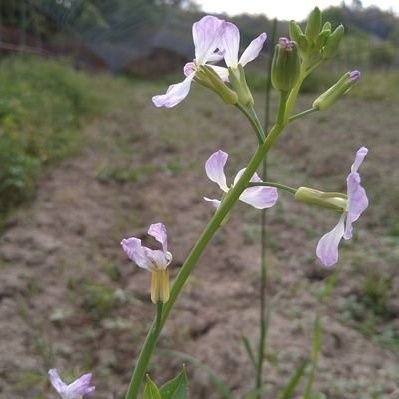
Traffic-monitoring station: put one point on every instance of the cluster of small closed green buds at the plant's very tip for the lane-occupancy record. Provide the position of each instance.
(318, 41)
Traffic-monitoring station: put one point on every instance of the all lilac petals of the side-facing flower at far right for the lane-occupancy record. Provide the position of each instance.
(327, 247)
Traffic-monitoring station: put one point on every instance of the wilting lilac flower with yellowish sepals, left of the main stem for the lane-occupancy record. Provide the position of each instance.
(154, 260)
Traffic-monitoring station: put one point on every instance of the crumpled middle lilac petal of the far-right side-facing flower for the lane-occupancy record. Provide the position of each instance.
(357, 202)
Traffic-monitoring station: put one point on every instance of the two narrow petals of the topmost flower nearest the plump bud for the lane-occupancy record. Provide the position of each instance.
(230, 45)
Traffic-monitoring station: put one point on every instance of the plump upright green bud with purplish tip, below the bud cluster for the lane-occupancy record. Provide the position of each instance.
(286, 65)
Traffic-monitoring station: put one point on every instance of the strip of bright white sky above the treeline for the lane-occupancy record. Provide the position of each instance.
(283, 9)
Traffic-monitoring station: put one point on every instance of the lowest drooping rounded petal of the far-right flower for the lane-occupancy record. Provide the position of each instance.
(327, 247)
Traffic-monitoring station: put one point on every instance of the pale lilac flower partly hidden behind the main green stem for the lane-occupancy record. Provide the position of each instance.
(259, 197)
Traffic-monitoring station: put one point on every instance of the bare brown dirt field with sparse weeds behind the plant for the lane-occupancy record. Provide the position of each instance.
(70, 299)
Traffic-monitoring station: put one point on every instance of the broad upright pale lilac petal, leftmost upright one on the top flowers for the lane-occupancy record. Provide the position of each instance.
(206, 36)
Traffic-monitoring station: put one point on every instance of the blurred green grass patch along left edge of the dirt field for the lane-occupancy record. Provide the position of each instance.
(42, 106)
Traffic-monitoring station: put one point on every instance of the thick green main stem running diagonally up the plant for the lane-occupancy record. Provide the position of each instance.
(191, 261)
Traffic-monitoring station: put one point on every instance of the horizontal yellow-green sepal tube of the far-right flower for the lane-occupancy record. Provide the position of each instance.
(335, 201)
